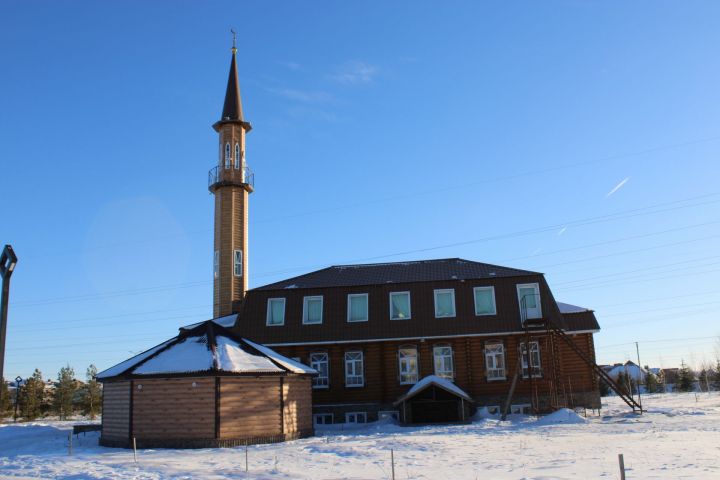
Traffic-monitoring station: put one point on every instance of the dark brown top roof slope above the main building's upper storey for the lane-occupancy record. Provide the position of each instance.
(397, 272)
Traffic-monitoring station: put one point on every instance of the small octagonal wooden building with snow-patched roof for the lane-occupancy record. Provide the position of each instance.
(206, 387)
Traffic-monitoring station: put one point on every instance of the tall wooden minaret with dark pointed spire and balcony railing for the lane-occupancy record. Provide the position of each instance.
(231, 181)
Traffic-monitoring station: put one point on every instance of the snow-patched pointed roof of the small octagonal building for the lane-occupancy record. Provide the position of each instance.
(207, 347)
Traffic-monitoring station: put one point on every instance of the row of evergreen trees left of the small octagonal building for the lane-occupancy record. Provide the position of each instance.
(64, 398)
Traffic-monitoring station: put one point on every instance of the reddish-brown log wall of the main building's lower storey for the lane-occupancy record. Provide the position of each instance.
(382, 384)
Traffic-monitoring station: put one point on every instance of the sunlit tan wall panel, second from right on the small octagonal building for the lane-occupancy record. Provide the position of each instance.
(250, 407)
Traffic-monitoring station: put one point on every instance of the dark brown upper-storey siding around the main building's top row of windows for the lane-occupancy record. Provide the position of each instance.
(423, 323)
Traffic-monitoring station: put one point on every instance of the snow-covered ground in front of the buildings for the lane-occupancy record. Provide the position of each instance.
(678, 437)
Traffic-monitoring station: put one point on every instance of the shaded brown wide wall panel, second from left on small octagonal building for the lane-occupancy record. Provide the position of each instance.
(173, 408)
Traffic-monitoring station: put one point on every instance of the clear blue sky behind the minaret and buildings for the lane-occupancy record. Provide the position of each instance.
(575, 138)
